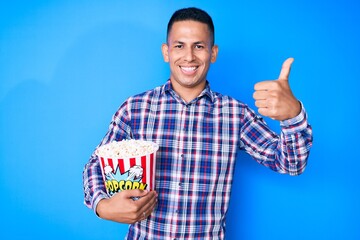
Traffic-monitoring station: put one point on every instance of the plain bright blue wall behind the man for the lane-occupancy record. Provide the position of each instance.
(65, 67)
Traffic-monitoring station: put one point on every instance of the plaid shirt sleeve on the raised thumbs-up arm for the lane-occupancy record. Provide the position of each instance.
(286, 152)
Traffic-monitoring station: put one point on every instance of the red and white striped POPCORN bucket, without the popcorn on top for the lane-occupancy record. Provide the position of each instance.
(136, 172)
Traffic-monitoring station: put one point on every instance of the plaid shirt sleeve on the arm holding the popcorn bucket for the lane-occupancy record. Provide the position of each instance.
(93, 183)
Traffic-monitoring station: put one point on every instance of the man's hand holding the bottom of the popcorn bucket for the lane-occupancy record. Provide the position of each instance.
(122, 208)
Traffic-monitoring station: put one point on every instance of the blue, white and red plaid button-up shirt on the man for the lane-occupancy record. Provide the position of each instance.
(198, 143)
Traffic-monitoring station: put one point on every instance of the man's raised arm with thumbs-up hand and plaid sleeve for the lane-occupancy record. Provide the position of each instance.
(288, 152)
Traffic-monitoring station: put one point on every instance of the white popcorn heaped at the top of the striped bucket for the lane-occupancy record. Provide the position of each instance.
(126, 148)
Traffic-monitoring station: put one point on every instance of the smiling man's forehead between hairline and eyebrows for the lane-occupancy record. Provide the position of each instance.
(189, 30)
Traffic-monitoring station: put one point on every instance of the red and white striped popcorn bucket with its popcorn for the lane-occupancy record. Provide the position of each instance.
(128, 164)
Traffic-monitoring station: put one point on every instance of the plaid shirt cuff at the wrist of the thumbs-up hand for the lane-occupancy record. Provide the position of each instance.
(296, 124)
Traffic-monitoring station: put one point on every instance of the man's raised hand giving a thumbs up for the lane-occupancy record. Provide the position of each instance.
(275, 99)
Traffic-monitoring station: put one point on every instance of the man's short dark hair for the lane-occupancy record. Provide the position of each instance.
(194, 14)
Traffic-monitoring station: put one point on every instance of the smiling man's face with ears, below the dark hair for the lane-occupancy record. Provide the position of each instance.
(189, 53)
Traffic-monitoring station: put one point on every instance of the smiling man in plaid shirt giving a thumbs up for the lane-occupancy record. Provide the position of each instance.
(199, 133)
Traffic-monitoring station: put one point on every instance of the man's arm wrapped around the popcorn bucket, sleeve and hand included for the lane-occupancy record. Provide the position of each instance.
(121, 207)
